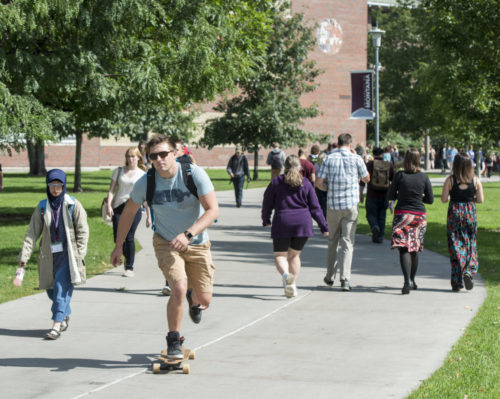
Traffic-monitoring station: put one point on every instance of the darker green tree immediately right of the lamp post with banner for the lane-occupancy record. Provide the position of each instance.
(404, 56)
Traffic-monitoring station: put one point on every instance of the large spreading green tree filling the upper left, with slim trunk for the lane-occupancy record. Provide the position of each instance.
(119, 67)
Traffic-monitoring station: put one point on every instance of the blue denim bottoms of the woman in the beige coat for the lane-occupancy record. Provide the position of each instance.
(61, 293)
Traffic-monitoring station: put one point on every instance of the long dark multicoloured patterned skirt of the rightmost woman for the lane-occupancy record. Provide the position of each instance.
(461, 229)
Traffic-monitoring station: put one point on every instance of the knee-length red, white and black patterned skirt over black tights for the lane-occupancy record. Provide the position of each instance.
(408, 231)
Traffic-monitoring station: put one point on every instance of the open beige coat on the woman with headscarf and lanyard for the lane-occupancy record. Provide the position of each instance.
(77, 234)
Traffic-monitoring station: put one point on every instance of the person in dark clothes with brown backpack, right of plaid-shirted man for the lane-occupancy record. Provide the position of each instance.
(381, 174)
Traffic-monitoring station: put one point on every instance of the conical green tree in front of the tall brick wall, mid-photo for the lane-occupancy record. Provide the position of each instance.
(268, 107)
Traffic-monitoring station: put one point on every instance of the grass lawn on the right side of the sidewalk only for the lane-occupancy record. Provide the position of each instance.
(472, 368)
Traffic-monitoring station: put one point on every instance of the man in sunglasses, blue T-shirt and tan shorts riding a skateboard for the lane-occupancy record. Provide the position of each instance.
(180, 241)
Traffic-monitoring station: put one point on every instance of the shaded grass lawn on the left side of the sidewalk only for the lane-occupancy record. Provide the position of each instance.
(20, 197)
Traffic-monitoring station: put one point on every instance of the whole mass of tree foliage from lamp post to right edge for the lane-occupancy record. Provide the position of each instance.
(441, 69)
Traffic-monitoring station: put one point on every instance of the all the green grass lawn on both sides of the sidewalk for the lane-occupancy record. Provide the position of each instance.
(471, 369)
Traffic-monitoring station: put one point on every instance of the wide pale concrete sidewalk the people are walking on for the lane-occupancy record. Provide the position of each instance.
(252, 342)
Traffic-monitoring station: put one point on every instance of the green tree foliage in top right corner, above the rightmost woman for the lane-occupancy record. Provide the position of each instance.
(464, 68)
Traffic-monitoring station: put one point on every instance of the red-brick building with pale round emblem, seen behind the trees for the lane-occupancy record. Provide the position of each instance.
(341, 47)
